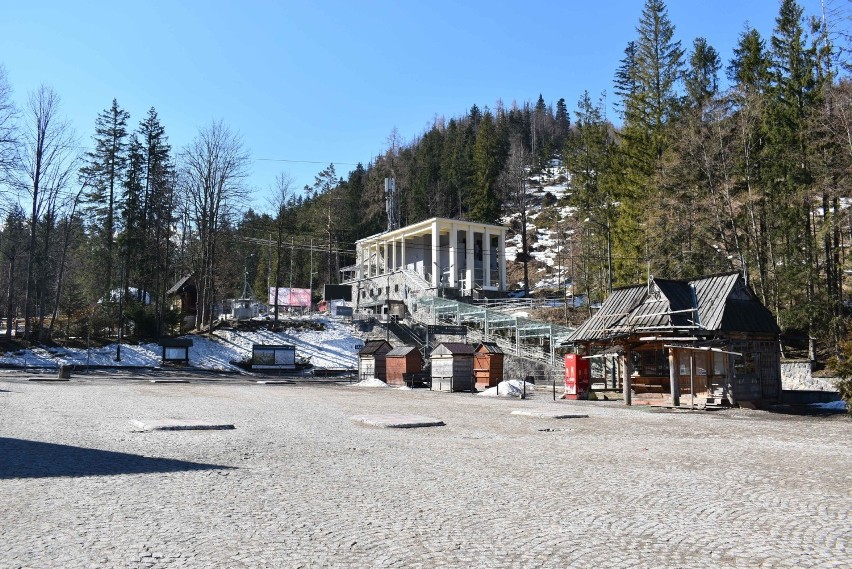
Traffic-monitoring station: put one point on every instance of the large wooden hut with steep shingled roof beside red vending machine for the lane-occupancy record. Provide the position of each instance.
(706, 341)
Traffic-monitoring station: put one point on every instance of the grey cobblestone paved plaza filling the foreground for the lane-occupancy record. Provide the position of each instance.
(299, 484)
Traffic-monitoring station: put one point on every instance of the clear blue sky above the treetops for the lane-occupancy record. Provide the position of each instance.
(312, 83)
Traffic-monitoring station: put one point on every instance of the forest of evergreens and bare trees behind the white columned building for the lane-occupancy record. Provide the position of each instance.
(713, 162)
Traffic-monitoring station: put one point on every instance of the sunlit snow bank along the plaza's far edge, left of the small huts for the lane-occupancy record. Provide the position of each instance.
(332, 348)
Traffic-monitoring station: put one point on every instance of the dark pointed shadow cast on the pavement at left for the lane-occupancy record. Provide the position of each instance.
(34, 459)
